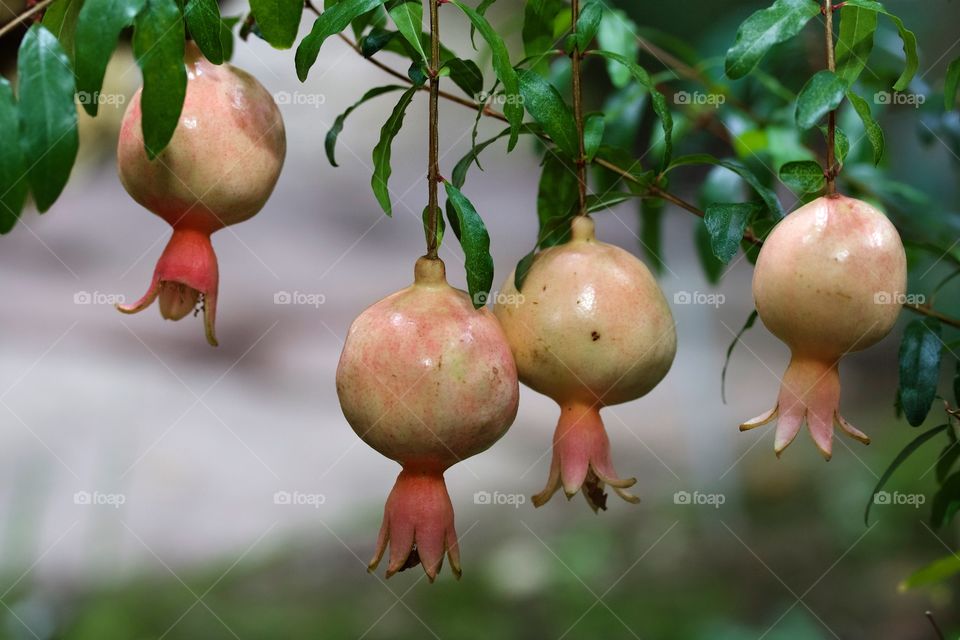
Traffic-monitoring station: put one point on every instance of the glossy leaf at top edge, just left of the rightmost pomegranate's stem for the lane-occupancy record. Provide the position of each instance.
(765, 28)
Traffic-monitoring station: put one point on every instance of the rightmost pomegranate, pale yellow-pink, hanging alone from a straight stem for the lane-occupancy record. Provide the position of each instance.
(827, 282)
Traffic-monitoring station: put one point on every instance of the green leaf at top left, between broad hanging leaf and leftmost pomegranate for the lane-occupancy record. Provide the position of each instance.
(98, 29)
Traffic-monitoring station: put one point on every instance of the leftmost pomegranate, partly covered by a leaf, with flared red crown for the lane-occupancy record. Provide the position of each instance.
(219, 169)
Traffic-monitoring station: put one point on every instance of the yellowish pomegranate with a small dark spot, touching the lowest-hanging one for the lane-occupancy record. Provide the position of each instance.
(591, 328)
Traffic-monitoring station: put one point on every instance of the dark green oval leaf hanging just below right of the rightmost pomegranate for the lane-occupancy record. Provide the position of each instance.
(920, 353)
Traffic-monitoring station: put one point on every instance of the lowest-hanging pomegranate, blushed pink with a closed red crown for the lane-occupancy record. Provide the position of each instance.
(426, 380)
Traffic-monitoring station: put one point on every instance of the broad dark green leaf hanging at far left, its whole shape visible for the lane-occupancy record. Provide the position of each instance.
(48, 114)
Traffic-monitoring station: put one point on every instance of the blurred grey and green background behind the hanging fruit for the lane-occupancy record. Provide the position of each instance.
(153, 487)
